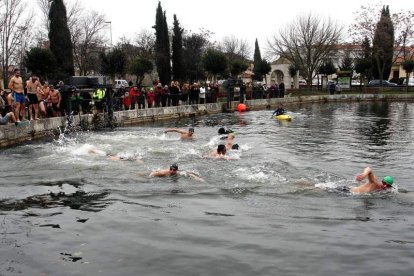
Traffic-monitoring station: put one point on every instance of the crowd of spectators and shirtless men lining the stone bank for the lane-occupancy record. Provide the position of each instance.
(33, 100)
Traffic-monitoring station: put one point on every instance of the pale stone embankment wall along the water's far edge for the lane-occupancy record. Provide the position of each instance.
(11, 135)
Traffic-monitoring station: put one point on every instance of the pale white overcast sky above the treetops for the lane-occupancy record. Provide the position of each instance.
(245, 19)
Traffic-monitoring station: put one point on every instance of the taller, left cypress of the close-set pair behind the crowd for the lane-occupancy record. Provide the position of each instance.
(162, 46)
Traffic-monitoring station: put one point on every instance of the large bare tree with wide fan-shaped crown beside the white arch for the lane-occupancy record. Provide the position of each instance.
(306, 42)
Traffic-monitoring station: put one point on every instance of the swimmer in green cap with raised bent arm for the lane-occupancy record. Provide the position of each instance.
(373, 184)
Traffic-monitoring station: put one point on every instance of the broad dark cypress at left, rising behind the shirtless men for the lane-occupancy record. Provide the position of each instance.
(60, 40)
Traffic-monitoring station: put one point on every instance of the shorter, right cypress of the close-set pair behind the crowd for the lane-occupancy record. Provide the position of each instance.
(177, 51)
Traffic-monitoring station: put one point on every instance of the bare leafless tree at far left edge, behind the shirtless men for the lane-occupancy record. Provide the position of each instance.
(15, 27)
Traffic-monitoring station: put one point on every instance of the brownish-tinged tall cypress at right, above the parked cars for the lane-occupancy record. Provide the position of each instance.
(383, 46)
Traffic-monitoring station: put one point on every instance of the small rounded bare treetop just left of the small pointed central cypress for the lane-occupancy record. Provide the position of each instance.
(235, 47)
